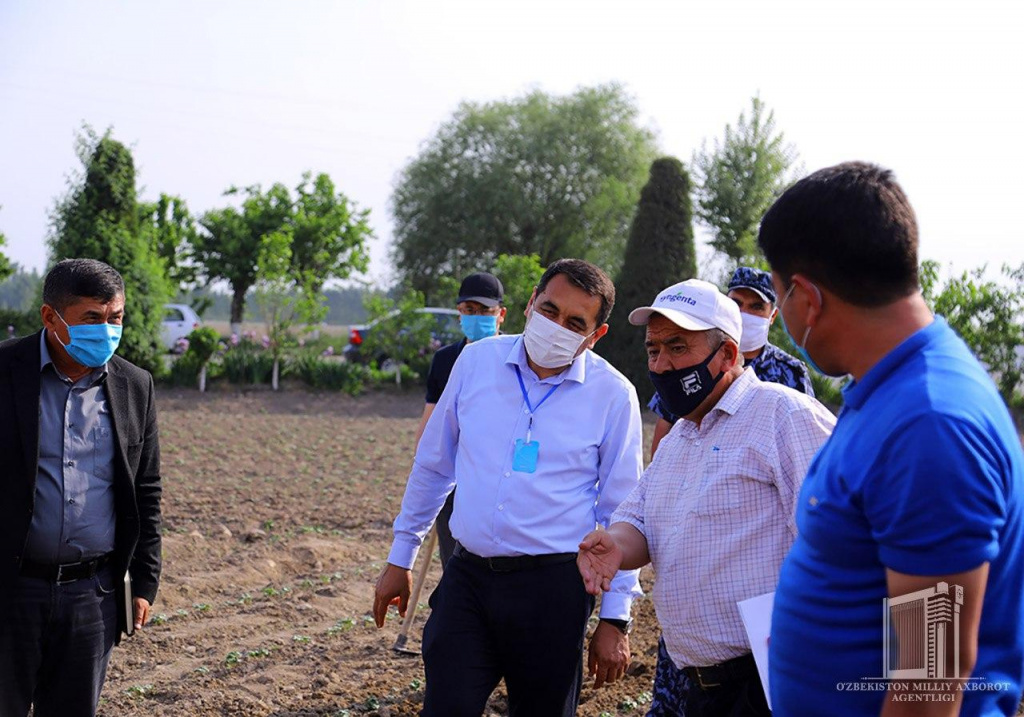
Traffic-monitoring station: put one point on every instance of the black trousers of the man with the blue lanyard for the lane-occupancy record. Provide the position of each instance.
(527, 626)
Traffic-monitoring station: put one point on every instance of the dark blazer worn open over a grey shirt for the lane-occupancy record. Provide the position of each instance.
(137, 463)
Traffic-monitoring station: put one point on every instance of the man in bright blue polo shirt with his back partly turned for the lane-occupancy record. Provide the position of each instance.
(911, 541)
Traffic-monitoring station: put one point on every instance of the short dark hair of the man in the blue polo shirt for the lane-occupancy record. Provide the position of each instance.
(850, 228)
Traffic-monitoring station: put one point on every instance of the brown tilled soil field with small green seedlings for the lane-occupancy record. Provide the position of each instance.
(278, 512)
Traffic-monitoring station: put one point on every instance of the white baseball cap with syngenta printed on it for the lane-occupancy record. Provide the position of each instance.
(695, 306)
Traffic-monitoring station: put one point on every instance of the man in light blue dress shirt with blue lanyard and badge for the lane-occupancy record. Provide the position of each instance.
(544, 440)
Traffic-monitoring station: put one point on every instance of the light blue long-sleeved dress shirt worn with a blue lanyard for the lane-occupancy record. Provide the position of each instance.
(589, 459)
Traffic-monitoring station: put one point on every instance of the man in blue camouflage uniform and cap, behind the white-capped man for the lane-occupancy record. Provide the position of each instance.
(754, 293)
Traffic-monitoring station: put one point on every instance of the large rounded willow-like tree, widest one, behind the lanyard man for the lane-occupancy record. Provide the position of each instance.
(541, 175)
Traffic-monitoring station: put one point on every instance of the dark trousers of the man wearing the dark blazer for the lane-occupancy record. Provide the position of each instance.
(56, 643)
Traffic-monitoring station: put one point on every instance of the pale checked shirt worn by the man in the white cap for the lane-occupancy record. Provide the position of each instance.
(718, 509)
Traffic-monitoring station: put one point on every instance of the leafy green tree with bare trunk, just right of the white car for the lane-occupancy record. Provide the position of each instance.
(234, 241)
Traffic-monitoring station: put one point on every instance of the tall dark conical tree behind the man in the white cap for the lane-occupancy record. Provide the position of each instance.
(659, 255)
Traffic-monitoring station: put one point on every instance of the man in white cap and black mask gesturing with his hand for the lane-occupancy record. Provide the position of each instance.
(715, 511)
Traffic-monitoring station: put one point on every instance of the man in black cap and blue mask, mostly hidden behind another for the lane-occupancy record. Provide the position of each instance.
(481, 315)
